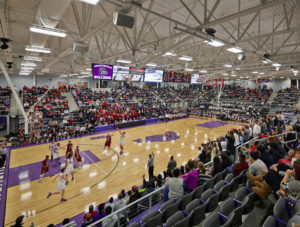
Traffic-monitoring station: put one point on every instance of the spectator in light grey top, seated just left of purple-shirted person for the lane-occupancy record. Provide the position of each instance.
(175, 185)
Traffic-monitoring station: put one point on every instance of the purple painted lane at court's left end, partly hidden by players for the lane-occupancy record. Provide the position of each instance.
(31, 172)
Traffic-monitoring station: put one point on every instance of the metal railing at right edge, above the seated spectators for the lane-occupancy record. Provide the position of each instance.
(243, 147)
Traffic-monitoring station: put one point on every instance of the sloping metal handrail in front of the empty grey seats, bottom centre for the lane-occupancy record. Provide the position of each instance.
(122, 210)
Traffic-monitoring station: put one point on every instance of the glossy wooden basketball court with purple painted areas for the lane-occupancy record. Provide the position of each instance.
(104, 173)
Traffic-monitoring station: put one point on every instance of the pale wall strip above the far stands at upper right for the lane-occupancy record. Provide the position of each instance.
(277, 85)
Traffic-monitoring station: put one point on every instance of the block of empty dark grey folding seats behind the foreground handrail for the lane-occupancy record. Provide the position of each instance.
(192, 208)
